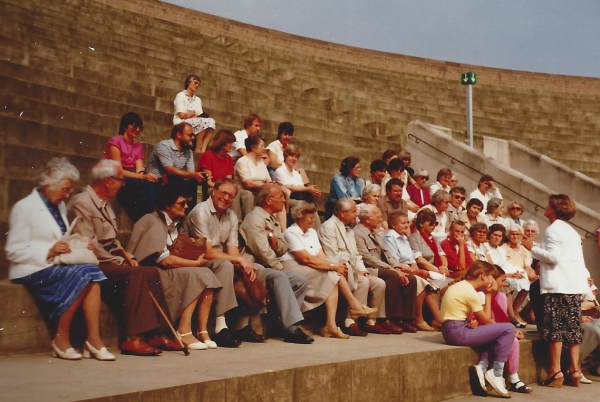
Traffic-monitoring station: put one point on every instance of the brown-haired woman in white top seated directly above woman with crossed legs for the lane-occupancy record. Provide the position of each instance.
(290, 178)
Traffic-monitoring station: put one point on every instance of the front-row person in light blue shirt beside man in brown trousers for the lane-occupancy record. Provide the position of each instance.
(401, 255)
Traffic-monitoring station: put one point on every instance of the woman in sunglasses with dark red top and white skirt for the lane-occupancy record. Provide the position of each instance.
(427, 252)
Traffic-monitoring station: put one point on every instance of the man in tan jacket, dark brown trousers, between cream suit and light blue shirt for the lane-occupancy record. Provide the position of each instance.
(400, 288)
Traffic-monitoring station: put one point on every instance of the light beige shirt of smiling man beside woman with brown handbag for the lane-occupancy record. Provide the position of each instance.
(220, 232)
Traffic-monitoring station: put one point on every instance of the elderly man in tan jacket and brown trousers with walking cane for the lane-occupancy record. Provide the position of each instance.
(131, 285)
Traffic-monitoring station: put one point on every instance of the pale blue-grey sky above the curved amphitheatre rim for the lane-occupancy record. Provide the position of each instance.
(559, 37)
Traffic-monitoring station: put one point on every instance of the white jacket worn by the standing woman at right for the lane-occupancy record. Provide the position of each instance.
(561, 258)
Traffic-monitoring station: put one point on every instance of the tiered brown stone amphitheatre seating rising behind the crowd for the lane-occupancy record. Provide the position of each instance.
(70, 69)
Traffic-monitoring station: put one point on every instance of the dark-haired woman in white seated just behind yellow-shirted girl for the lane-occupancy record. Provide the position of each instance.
(515, 275)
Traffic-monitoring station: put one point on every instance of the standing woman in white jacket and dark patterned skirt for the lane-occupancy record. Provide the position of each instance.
(563, 281)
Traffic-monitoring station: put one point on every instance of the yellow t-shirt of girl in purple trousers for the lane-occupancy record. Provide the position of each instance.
(459, 301)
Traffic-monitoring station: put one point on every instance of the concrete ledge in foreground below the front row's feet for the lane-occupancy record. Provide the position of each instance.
(410, 367)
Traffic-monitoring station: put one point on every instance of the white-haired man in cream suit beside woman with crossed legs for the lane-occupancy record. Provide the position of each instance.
(338, 242)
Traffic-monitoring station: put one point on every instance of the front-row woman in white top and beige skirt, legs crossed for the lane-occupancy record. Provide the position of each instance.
(326, 277)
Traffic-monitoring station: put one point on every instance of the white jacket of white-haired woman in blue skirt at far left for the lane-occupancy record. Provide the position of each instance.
(32, 233)
